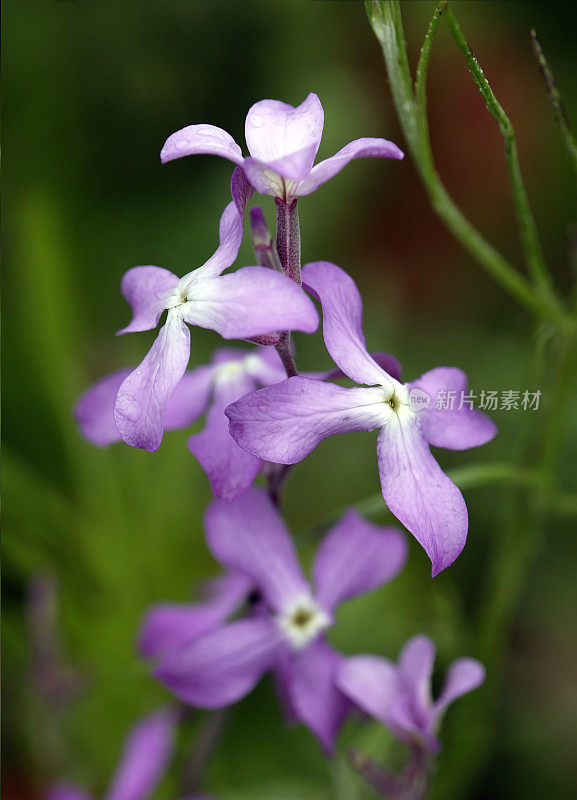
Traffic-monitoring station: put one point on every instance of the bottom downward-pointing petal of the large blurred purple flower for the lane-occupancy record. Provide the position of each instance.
(313, 692)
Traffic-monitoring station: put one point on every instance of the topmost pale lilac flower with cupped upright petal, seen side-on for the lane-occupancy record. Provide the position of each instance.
(283, 142)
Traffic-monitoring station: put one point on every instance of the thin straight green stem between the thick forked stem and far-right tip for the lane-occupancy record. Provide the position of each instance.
(525, 220)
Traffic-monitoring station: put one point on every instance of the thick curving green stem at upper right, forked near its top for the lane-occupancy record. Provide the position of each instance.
(386, 21)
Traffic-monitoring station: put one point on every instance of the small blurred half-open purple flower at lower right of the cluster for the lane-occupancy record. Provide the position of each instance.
(399, 696)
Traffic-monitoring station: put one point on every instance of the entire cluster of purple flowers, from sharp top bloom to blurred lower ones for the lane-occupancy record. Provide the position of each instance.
(262, 614)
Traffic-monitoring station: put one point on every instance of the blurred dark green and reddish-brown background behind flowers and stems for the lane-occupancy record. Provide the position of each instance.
(93, 537)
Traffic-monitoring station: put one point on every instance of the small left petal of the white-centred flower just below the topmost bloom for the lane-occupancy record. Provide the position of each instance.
(146, 289)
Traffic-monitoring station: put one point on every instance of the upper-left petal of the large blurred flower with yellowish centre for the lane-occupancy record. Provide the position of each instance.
(248, 535)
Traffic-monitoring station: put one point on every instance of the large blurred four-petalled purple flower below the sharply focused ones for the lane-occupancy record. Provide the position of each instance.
(287, 632)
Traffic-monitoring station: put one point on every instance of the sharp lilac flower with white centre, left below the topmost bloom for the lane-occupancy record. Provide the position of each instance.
(249, 302)
